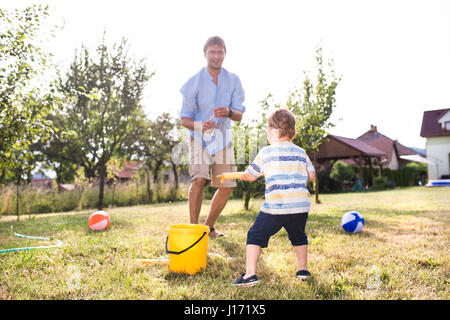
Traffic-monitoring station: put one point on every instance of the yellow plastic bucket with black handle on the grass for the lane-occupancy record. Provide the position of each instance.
(187, 246)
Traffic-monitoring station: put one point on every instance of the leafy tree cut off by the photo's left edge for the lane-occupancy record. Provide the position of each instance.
(24, 103)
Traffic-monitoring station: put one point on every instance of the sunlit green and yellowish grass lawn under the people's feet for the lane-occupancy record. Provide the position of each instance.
(402, 253)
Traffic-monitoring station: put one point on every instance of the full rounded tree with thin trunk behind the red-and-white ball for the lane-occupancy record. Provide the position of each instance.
(104, 92)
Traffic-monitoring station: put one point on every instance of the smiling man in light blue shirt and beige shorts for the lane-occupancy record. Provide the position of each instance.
(211, 99)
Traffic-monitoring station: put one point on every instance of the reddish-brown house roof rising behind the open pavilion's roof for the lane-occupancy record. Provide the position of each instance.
(383, 143)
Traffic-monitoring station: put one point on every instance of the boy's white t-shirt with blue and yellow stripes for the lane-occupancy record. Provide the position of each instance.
(285, 167)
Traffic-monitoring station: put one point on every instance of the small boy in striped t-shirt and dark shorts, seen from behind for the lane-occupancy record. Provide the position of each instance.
(287, 170)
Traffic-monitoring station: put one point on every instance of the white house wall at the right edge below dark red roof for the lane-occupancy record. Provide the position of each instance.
(438, 151)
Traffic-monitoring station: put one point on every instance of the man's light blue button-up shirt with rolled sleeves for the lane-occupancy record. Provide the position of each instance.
(201, 96)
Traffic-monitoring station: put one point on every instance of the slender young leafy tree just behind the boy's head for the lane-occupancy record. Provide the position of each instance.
(313, 106)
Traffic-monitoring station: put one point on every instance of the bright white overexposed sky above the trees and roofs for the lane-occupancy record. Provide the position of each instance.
(393, 56)
